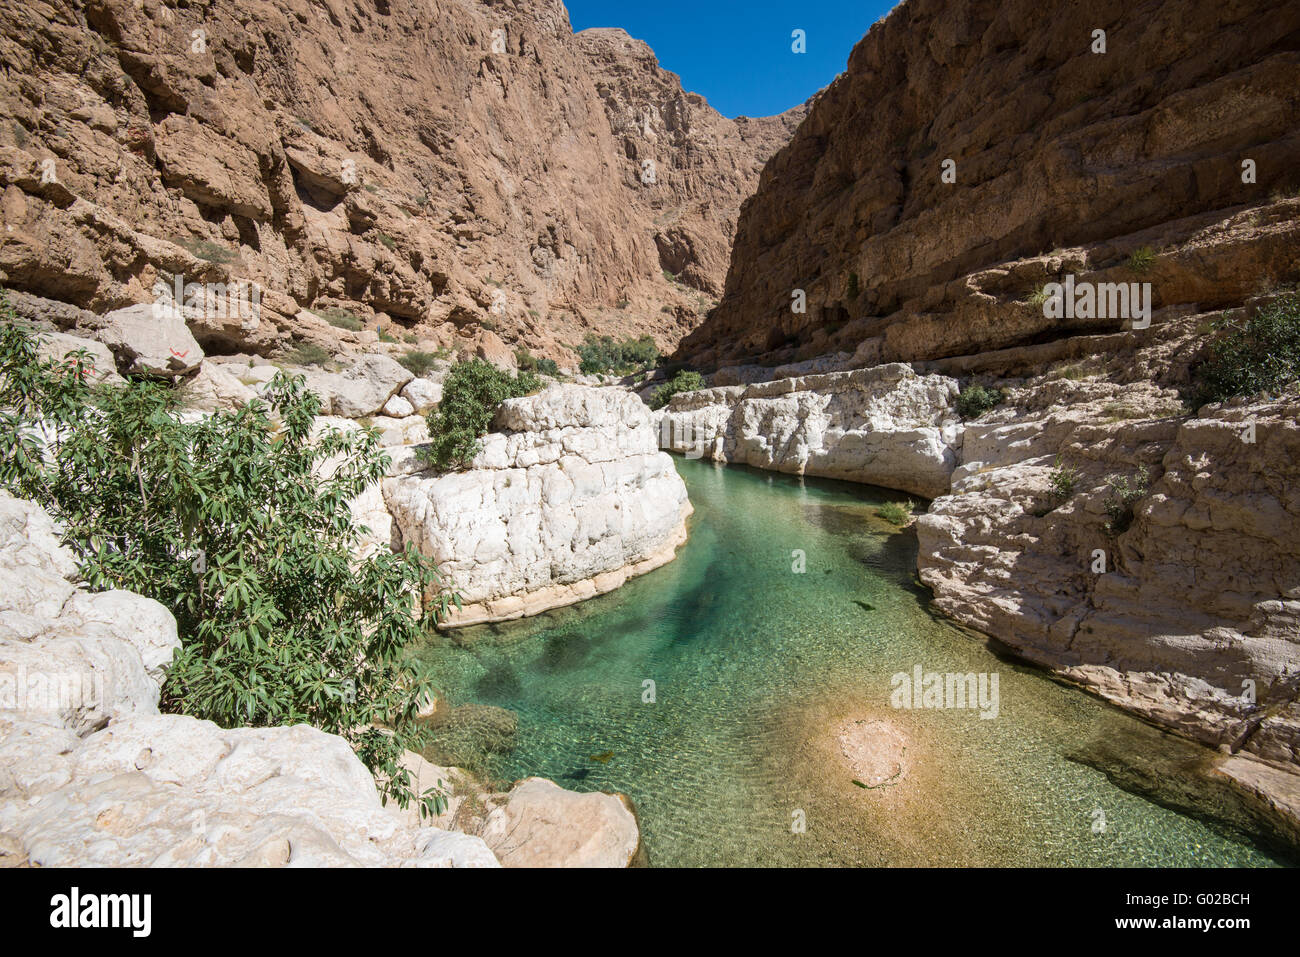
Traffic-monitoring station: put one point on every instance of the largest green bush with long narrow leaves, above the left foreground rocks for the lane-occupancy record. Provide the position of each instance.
(241, 530)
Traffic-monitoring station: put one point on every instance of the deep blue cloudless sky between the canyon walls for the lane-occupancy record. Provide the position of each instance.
(738, 55)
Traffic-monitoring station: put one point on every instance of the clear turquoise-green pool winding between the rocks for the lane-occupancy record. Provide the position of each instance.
(755, 669)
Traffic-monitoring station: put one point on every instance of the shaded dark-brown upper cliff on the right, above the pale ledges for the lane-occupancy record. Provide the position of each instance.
(1052, 145)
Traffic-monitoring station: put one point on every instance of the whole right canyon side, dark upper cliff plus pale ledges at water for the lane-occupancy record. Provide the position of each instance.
(1098, 522)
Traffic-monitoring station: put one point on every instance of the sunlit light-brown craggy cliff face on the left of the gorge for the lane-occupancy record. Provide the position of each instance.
(466, 168)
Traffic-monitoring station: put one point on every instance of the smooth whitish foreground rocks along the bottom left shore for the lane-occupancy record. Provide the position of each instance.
(92, 774)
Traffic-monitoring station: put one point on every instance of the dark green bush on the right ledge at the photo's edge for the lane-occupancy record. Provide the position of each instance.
(1254, 354)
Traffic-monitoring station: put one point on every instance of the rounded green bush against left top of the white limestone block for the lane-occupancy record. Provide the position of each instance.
(470, 399)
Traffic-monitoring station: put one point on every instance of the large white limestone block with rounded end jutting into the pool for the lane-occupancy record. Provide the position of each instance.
(567, 504)
